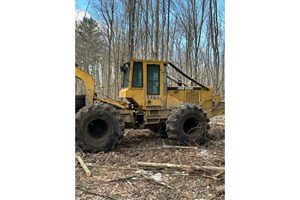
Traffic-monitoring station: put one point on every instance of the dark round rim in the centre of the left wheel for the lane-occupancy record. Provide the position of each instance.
(97, 128)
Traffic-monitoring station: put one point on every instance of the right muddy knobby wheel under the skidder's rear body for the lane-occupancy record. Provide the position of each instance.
(188, 124)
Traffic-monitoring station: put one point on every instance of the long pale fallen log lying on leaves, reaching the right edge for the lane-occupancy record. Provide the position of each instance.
(176, 166)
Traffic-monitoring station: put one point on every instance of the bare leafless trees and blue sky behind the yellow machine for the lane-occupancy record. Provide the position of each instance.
(190, 34)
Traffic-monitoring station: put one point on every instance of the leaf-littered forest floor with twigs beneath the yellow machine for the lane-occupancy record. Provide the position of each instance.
(116, 174)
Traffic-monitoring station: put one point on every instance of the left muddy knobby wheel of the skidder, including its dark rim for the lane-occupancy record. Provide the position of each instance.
(99, 127)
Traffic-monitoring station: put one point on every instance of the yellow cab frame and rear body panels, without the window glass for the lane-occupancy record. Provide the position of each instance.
(172, 98)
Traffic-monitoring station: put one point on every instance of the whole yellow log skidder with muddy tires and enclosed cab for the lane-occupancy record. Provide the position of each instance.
(150, 98)
